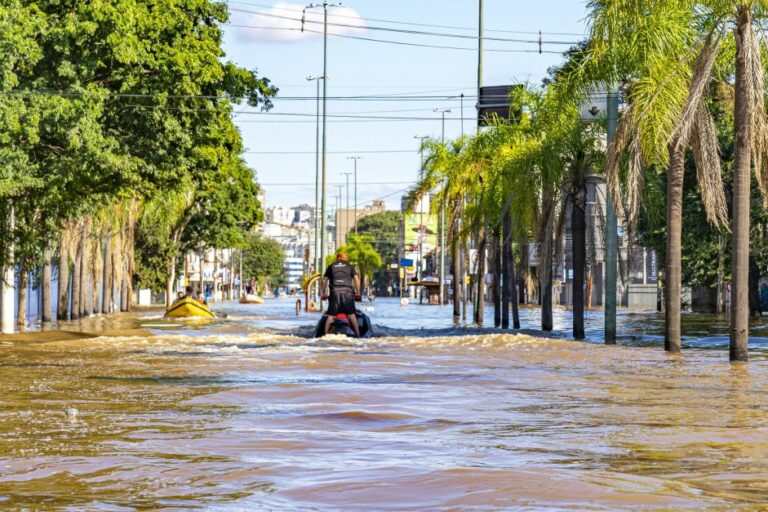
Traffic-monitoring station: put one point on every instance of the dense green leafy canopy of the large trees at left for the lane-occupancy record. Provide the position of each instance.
(112, 99)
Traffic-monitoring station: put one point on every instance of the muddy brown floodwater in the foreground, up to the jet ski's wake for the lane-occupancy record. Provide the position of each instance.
(218, 419)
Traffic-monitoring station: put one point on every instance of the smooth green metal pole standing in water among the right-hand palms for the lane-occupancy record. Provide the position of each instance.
(611, 238)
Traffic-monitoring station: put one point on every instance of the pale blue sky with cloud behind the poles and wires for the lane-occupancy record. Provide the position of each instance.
(281, 147)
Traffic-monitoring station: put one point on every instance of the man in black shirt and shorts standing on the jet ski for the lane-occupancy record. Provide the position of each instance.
(345, 290)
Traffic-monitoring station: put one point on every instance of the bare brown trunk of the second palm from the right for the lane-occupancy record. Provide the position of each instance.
(673, 263)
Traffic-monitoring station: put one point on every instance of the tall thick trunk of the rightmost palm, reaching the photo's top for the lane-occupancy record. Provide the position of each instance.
(741, 194)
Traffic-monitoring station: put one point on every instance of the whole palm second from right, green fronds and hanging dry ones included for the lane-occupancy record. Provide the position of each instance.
(664, 51)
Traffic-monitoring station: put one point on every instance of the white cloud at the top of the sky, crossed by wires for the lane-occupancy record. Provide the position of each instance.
(282, 23)
